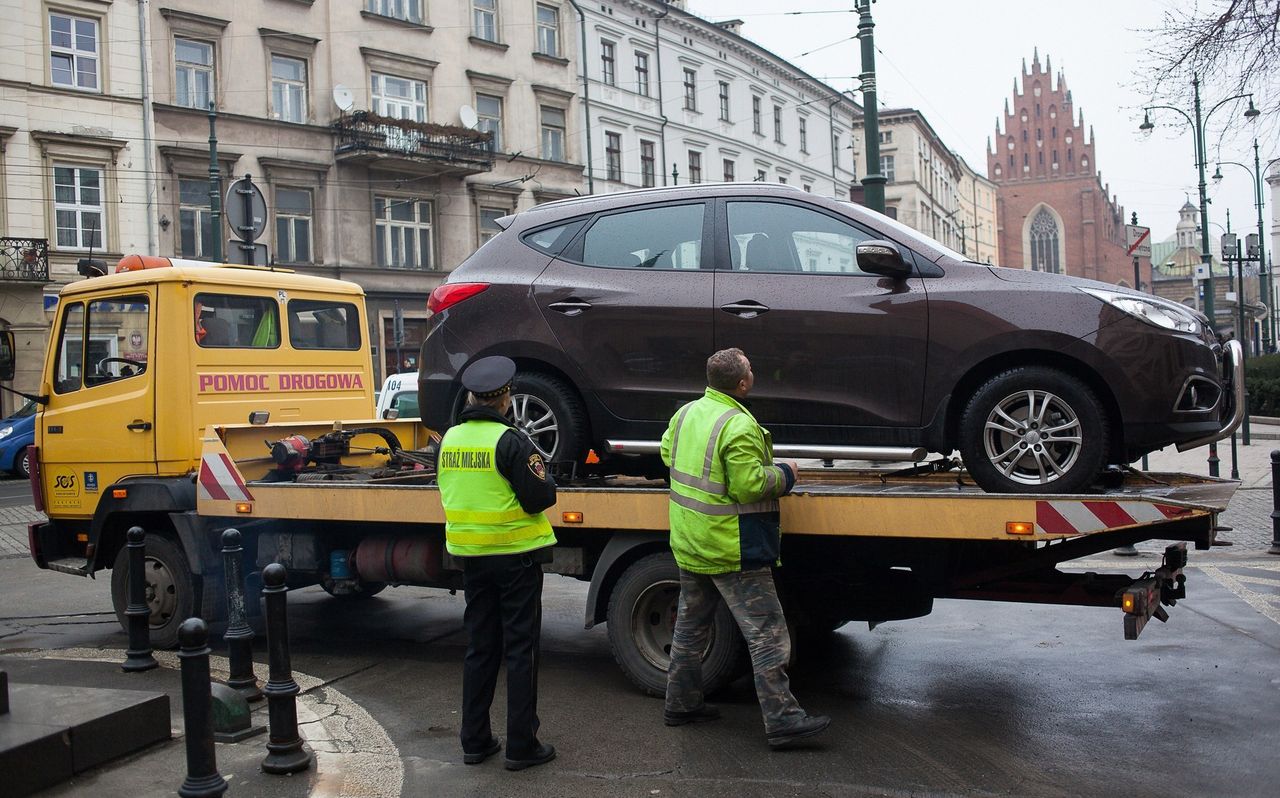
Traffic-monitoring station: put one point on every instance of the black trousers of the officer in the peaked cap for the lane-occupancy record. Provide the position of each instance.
(505, 622)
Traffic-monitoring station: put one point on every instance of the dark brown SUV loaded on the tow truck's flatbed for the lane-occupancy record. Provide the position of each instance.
(860, 330)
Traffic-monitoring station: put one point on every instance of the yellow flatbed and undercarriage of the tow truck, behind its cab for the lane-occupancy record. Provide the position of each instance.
(860, 545)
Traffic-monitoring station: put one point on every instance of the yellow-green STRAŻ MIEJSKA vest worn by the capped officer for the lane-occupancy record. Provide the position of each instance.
(482, 513)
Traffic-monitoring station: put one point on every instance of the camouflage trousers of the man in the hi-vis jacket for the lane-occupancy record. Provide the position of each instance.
(755, 605)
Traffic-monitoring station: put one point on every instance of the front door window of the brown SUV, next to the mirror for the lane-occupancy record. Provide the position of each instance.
(783, 238)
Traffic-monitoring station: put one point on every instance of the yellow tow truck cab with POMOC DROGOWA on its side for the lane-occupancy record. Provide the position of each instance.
(141, 363)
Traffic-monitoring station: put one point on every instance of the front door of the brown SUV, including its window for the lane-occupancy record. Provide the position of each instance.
(830, 345)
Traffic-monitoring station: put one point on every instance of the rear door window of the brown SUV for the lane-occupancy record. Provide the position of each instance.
(668, 238)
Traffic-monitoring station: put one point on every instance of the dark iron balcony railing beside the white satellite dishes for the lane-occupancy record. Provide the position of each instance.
(367, 134)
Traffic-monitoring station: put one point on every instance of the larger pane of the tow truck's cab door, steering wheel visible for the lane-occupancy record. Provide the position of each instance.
(118, 340)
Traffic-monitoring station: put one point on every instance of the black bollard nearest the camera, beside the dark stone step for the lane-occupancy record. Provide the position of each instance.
(203, 778)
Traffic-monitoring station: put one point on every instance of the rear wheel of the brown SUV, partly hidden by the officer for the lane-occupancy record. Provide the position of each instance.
(551, 414)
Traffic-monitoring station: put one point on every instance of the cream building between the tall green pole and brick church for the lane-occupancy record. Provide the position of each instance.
(930, 188)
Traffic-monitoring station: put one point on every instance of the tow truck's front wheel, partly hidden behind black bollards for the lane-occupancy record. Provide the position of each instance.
(171, 589)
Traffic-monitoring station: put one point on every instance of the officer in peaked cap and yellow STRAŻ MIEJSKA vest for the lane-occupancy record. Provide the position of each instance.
(495, 487)
